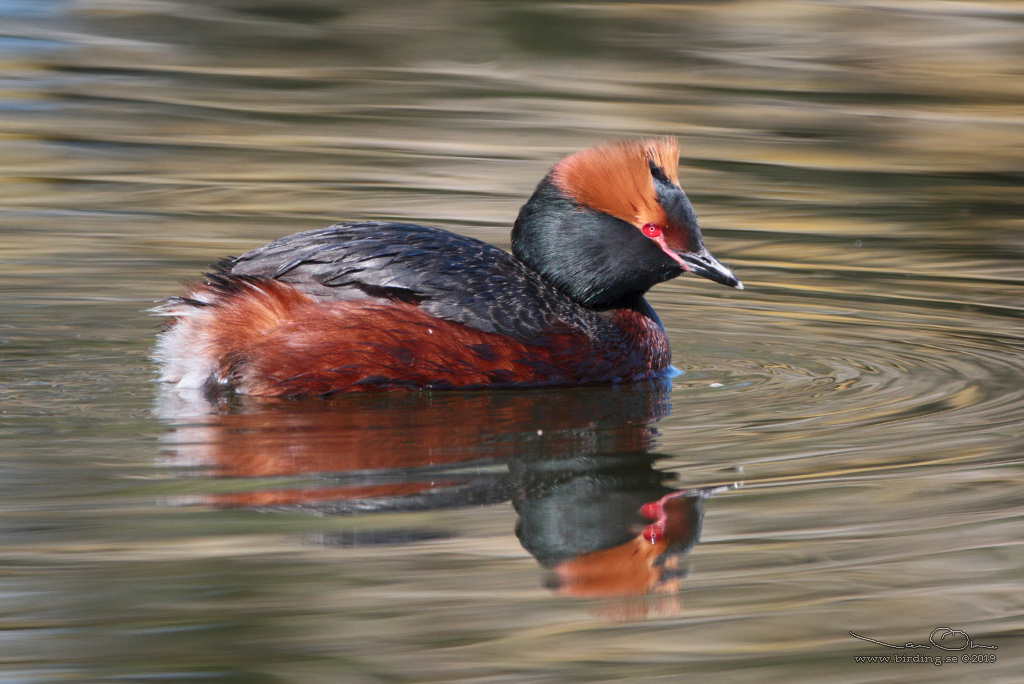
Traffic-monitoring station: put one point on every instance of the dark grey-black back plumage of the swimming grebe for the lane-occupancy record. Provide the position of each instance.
(449, 276)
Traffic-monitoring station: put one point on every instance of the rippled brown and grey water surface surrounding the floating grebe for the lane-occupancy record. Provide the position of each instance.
(860, 165)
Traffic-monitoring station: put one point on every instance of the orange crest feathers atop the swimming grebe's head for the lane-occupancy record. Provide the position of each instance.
(616, 179)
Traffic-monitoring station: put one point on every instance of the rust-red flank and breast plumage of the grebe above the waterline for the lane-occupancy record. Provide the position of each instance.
(271, 339)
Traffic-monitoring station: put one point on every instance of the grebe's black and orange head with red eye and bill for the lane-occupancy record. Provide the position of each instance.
(609, 224)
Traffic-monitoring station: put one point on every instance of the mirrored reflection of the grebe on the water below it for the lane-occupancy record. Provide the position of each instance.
(577, 464)
